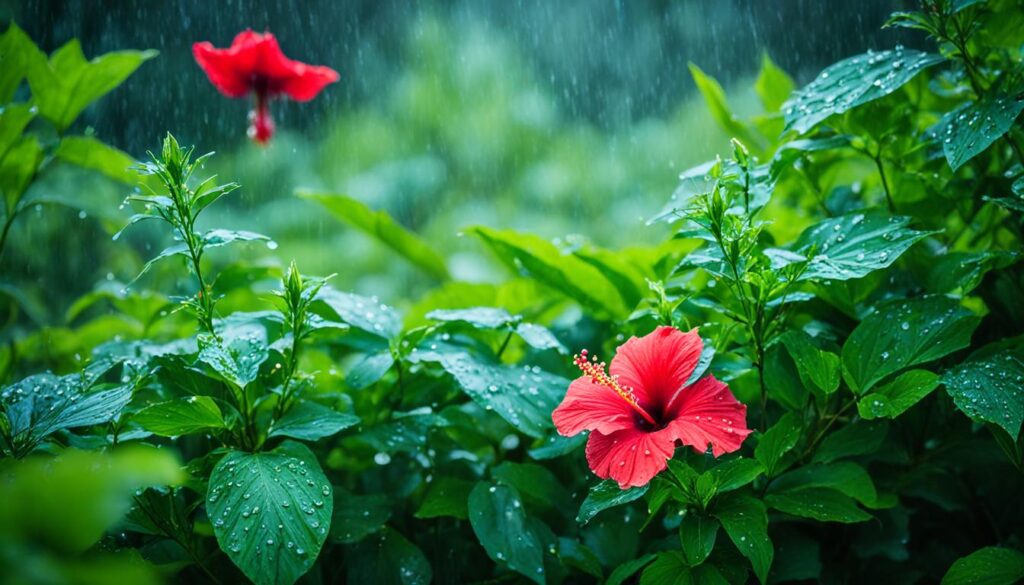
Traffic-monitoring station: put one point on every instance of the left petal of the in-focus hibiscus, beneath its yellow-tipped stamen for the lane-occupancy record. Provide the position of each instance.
(591, 407)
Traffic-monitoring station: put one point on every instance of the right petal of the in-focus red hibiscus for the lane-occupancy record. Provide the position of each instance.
(707, 413)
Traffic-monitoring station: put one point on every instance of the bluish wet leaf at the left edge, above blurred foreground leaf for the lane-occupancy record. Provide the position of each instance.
(45, 404)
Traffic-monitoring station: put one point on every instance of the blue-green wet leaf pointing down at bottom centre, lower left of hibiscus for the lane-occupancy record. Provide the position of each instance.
(500, 524)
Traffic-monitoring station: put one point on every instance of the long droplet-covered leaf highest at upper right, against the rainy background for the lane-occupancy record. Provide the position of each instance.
(852, 82)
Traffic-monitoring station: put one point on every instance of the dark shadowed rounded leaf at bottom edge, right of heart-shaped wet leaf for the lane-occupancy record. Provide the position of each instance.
(389, 559)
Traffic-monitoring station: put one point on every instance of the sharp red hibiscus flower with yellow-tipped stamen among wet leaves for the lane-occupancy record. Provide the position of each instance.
(641, 412)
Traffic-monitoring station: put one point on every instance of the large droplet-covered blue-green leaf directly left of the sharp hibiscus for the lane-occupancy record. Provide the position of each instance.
(525, 397)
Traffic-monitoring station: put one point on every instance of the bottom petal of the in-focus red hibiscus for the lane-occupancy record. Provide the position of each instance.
(631, 457)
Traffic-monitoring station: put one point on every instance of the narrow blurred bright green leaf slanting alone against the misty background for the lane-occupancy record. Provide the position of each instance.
(381, 227)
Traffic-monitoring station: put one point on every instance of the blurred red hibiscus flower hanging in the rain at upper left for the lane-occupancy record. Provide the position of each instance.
(255, 65)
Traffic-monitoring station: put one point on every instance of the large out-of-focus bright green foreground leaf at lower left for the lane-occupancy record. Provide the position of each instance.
(68, 503)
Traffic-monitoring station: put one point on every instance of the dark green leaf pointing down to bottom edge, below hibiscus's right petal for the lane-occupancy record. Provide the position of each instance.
(746, 522)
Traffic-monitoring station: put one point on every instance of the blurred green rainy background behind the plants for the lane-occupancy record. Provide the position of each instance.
(568, 119)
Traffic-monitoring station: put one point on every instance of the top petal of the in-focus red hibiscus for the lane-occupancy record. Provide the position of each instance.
(658, 364)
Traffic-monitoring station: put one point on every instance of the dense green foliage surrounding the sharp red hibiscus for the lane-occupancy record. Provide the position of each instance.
(852, 266)
